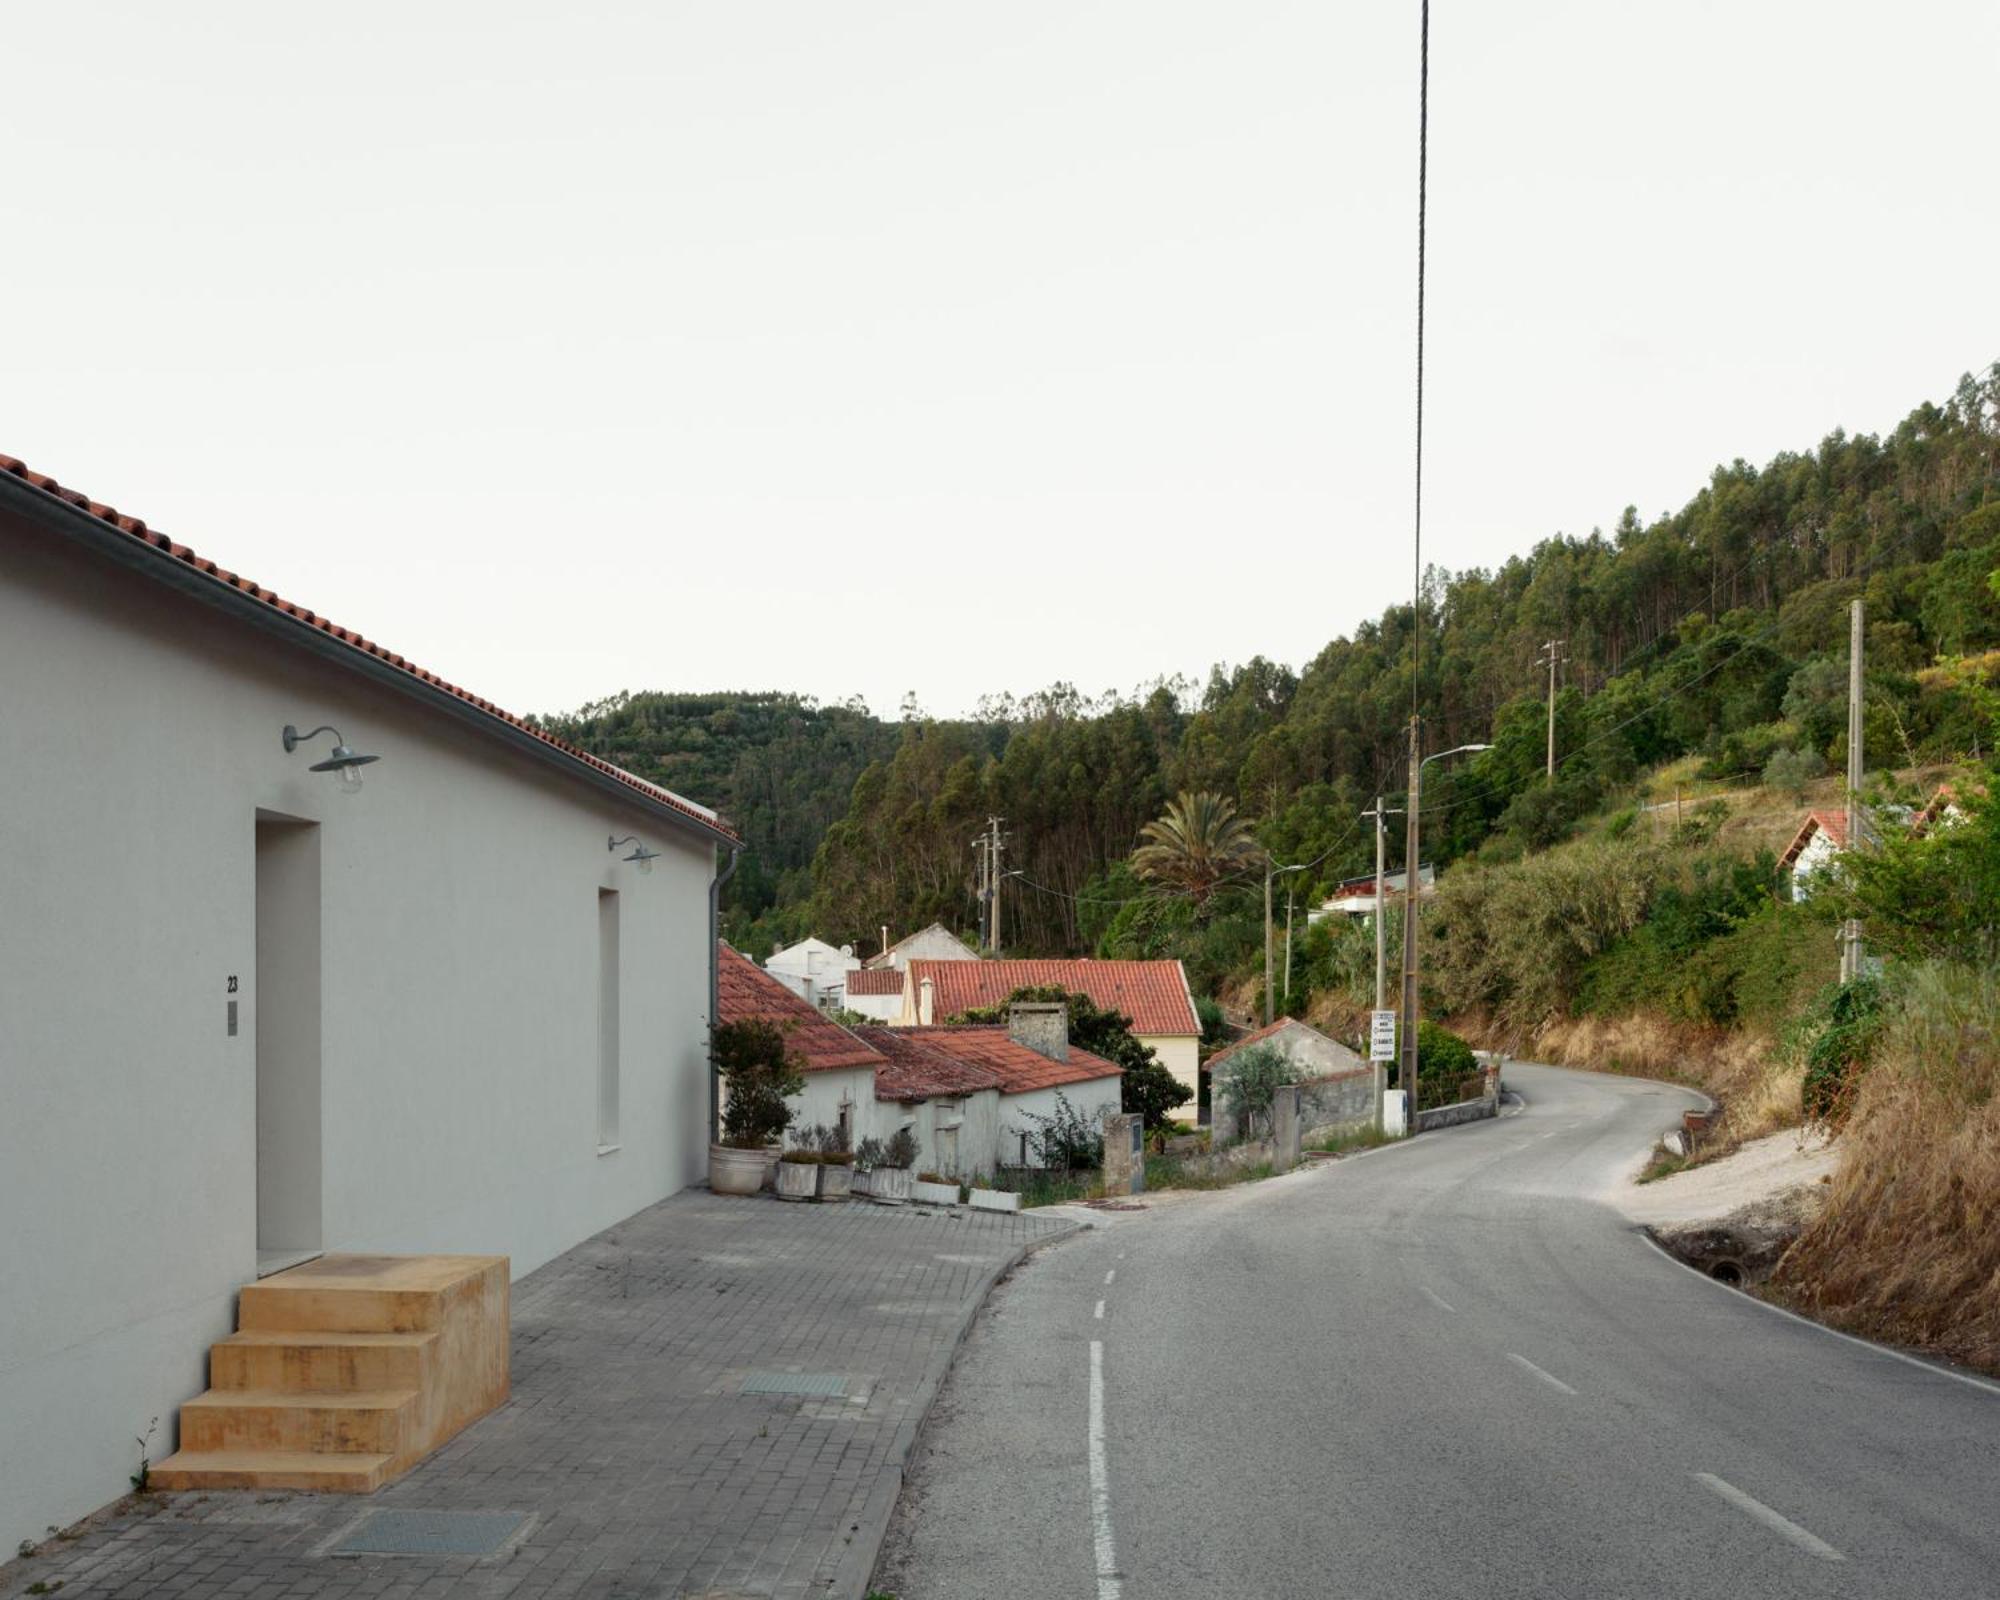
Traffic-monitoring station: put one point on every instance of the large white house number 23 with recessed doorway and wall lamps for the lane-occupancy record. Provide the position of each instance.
(249, 1015)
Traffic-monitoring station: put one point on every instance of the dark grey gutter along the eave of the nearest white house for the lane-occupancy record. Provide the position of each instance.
(103, 539)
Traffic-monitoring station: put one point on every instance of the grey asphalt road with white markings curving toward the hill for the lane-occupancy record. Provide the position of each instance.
(1443, 1369)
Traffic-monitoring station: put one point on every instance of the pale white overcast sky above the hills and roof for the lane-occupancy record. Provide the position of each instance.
(873, 347)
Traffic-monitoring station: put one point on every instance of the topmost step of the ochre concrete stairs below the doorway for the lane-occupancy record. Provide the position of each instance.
(367, 1295)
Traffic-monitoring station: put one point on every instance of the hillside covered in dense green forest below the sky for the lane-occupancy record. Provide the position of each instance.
(1715, 633)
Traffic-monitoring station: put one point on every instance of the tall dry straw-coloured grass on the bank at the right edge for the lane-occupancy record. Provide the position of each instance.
(1909, 1243)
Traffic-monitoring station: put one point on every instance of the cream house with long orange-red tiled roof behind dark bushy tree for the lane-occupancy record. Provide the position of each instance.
(1155, 995)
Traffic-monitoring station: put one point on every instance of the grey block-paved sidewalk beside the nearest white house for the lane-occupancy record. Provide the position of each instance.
(627, 1439)
